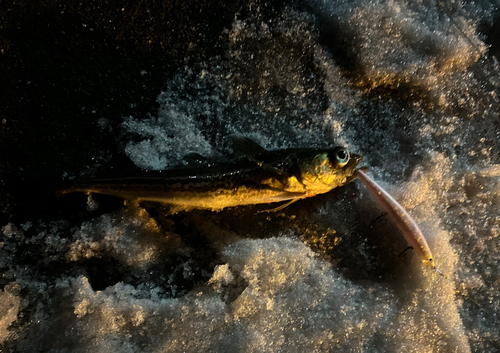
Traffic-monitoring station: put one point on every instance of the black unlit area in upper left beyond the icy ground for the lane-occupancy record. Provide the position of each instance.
(64, 65)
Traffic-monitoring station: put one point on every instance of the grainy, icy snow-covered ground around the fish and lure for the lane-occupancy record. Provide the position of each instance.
(409, 85)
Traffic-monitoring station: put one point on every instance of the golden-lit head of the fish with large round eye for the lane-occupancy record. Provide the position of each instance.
(328, 169)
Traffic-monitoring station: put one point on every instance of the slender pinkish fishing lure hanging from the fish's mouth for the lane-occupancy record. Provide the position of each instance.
(401, 218)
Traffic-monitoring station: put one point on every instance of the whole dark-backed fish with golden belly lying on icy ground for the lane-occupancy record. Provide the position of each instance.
(258, 176)
